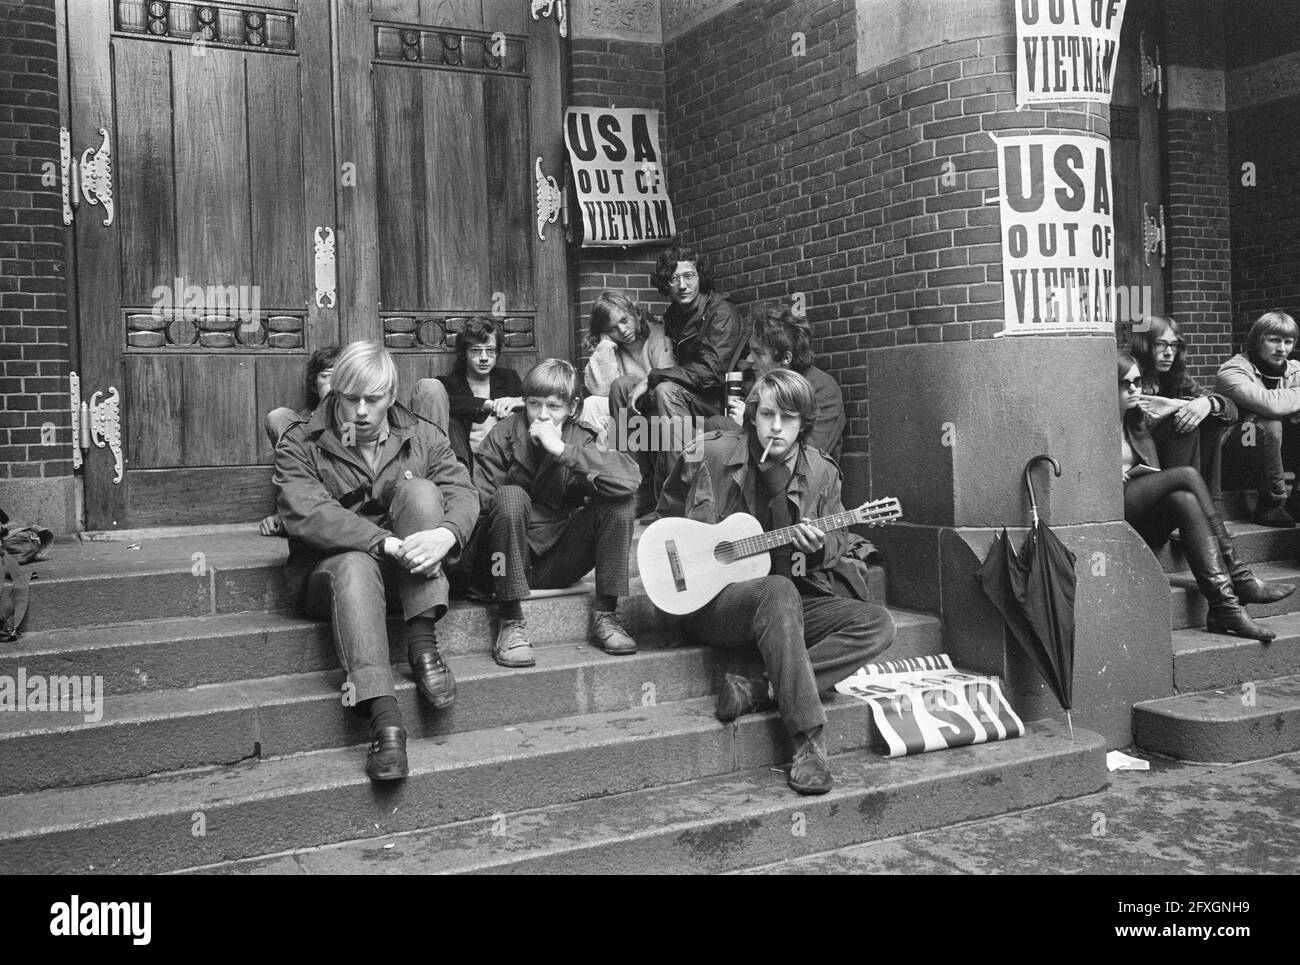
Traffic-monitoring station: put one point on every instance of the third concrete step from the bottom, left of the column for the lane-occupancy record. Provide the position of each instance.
(155, 732)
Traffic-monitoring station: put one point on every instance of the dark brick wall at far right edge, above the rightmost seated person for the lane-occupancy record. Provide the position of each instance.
(1266, 218)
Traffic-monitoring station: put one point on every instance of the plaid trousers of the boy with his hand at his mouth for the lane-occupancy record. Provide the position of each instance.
(599, 535)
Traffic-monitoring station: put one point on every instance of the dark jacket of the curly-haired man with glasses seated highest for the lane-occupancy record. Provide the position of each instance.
(708, 340)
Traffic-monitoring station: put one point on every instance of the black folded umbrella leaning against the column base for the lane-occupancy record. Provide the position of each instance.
(1034, 591)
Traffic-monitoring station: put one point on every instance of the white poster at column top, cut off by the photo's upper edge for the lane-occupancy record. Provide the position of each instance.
(1067, 50)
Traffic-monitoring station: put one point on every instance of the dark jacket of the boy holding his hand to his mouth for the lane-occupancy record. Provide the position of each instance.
(560, 486)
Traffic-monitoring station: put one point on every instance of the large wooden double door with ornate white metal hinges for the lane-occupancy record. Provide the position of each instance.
(255, 181)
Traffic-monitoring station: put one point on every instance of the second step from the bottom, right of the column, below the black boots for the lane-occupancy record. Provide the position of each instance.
(1206, 661)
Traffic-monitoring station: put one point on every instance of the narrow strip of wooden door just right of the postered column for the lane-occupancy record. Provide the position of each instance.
(1136, 168)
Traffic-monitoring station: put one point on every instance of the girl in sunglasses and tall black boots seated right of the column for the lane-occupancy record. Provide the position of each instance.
(1159, 501)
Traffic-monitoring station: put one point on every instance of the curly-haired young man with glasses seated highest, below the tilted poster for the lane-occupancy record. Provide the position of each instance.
(708, 339)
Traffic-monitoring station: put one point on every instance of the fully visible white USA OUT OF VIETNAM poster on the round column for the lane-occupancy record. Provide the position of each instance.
(1059, 256)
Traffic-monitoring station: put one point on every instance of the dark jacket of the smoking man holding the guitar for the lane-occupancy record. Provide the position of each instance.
(713, 481)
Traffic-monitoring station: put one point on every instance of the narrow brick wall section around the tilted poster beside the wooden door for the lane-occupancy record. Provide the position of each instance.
(617, 73)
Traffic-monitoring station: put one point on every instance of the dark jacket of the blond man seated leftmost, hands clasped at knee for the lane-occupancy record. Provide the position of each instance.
(333, 503)
